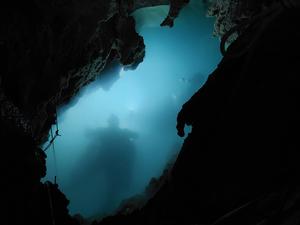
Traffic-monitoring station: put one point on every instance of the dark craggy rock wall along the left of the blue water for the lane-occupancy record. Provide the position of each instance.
(49, 50)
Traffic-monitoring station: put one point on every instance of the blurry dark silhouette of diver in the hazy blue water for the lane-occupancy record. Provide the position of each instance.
(109, 163)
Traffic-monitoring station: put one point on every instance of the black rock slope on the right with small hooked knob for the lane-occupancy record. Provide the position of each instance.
(239, 165)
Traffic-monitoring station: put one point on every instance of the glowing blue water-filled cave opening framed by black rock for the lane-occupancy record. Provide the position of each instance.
(119, 131)
